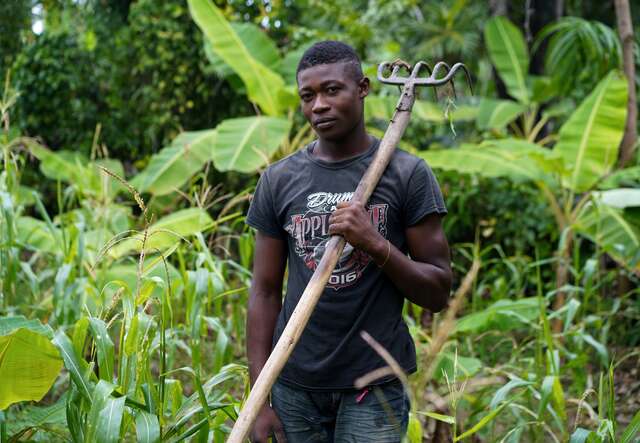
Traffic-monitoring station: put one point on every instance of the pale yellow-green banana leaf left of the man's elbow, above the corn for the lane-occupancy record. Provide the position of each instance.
(166, 232)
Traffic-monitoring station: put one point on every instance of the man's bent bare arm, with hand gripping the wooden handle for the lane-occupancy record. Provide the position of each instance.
(425, 278)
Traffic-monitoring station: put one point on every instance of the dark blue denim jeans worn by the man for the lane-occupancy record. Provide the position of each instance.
(379, 415)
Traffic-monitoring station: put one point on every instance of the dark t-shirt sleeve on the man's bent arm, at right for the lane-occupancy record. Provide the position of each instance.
(423, 195)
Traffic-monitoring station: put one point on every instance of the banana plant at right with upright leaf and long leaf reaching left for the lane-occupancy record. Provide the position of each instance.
(569, 175)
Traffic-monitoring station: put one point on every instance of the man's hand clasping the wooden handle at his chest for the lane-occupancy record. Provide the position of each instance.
(353, 222)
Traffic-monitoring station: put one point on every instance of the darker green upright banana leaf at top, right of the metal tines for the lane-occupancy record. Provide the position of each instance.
(508, 52)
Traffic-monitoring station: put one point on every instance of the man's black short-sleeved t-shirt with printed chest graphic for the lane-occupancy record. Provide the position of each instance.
(293, 201)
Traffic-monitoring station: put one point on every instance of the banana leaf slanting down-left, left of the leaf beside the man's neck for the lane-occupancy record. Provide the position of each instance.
(172, 166)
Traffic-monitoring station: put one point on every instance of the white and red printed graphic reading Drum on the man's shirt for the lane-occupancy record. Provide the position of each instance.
(311, 233)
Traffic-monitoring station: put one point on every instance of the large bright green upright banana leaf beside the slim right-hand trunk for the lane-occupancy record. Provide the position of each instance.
(589, 140)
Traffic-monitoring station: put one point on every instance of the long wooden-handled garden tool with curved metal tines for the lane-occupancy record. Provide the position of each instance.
(336, 243)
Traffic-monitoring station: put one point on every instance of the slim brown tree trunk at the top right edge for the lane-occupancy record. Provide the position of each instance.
(625, 30)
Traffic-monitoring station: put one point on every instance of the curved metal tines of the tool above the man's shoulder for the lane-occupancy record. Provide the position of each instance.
(435, 78)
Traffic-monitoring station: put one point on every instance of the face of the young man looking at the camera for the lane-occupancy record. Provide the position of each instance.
(331, 99)
